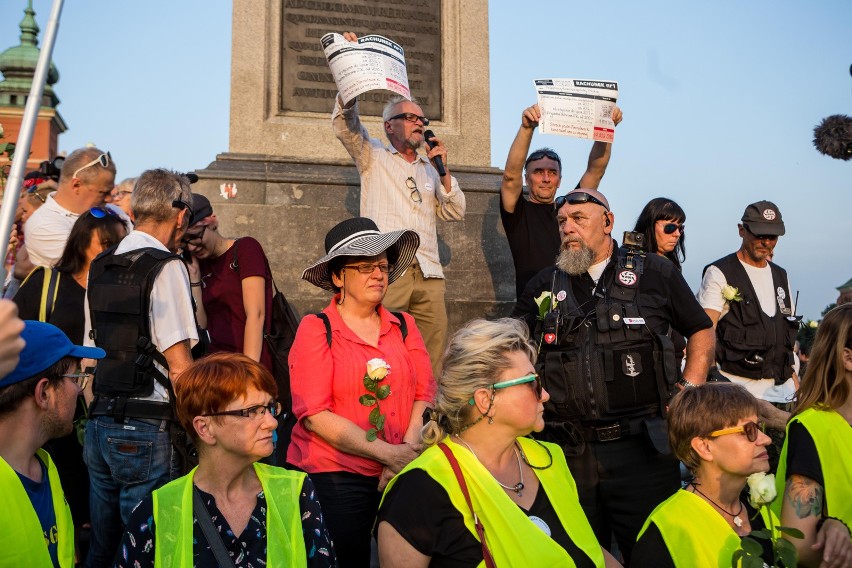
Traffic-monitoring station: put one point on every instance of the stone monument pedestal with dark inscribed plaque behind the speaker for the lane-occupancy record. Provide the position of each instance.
(286, 179)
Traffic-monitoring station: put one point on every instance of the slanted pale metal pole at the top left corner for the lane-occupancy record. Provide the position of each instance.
(25, 136)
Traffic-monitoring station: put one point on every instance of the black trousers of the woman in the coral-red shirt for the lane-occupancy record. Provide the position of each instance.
(349, 504)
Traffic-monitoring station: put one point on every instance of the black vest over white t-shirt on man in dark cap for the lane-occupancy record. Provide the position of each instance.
(749, 343)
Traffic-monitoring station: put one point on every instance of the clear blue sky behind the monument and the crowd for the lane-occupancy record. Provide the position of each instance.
(720, 100)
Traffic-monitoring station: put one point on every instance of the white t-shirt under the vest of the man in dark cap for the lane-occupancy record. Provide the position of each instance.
(710, 297)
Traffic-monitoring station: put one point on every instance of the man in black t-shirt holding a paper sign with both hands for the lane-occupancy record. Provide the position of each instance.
(530, 224)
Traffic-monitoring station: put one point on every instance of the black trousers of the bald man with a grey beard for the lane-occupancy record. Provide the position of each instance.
(620, 483)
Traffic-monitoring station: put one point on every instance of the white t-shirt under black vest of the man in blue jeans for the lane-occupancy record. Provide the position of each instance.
(171, 315)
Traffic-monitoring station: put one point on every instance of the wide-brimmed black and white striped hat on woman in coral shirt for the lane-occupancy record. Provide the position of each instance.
(360, 236)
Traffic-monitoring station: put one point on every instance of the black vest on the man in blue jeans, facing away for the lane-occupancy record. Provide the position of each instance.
(119, 303)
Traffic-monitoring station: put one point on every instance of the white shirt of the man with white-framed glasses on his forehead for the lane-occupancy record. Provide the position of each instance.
(46, 232)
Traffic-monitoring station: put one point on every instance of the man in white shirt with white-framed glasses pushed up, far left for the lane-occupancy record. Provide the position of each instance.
(87, 178)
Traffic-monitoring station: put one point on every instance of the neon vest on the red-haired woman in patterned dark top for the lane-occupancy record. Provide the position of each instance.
(285, 544)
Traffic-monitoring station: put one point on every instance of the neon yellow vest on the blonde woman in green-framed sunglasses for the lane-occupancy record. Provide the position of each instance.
(512, 538)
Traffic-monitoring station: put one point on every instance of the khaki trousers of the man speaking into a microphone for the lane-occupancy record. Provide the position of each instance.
(423, 298)
